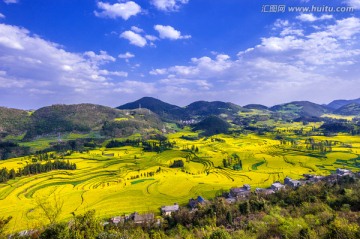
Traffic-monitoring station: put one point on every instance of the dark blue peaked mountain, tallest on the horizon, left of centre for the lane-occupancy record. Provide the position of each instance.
(164, 110)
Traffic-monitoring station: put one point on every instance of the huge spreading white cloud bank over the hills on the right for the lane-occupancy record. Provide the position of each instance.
(292, 64)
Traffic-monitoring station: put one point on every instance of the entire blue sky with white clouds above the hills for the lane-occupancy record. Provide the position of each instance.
(111, 52)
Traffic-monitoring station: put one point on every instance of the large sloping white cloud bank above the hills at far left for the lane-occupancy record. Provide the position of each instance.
(30, 65)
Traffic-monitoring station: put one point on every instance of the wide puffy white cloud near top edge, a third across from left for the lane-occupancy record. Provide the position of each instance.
(123, 10)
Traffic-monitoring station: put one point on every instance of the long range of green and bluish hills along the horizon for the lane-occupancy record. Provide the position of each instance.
(149, 113)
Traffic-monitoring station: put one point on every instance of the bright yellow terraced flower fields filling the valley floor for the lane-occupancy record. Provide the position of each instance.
(126, 179)
